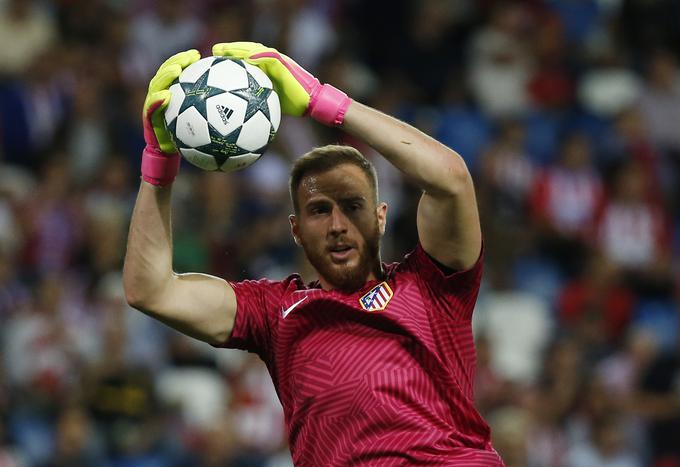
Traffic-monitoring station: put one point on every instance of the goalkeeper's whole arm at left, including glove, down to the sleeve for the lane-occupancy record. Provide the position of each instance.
(198, 305)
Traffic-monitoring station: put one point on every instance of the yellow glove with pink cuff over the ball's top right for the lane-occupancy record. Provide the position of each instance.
(300, 93)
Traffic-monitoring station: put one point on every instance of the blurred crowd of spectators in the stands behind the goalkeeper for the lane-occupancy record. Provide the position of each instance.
(567, 113)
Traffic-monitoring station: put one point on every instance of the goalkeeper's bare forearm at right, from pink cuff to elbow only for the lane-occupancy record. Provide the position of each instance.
(434, 167)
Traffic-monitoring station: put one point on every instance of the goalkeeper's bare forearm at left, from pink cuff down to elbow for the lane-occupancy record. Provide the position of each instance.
(148, 259)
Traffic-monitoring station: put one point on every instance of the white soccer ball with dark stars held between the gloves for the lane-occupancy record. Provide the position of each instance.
(222, 113)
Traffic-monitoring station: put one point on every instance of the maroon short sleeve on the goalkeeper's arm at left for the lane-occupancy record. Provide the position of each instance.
(256, 307)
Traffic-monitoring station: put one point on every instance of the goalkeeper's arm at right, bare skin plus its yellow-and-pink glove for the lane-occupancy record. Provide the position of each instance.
(448, 220)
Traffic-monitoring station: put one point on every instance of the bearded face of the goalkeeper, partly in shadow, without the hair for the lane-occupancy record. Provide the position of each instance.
(339, 226)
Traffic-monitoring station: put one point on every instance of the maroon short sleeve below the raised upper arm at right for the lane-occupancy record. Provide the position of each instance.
(454, 294)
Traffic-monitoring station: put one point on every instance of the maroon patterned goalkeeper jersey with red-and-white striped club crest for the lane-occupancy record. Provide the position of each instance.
(383, 376)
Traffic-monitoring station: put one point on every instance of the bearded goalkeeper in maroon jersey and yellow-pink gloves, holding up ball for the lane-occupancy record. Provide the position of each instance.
(374, 364)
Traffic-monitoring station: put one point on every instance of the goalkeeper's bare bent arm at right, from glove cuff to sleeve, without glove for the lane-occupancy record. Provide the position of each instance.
(448, 220)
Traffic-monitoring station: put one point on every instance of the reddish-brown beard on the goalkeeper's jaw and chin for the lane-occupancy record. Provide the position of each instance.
(342, 276)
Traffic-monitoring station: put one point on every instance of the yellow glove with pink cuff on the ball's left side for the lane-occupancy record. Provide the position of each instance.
(160, 159)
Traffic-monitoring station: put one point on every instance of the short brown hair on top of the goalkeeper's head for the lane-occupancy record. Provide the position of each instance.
(325, 158)
